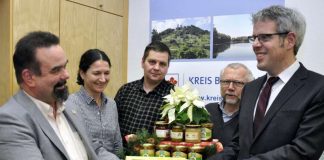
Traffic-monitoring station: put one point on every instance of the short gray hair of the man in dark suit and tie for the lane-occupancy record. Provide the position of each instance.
(287, 20)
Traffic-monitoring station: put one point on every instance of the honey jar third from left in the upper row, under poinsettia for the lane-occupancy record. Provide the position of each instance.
(193, 133)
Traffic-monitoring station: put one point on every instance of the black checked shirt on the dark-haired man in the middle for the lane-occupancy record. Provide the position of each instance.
(138, 109)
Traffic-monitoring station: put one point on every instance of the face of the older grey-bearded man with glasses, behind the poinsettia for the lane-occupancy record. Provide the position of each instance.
(231, 93)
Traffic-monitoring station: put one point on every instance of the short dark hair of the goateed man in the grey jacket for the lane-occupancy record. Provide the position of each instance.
(25, 52)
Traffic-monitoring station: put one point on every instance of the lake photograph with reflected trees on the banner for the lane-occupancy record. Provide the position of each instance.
(230, 37)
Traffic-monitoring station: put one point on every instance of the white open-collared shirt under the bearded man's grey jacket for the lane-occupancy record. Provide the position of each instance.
(70, 140)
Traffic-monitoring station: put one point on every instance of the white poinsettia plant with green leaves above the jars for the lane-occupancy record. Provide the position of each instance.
(183, 105)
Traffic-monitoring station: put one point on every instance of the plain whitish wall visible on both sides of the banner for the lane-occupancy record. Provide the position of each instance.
(311, 53)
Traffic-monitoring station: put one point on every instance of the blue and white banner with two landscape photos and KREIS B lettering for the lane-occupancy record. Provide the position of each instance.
(204, 36)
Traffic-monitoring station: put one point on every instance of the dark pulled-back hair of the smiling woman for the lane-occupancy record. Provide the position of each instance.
(89, 57)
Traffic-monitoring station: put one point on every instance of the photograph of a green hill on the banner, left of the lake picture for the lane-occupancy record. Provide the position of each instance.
(188, 38)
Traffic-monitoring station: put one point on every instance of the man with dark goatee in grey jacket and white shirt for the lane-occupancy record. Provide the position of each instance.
(34, 123)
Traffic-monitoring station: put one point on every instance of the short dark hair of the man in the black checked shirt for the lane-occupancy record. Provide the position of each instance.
(156, 46)
